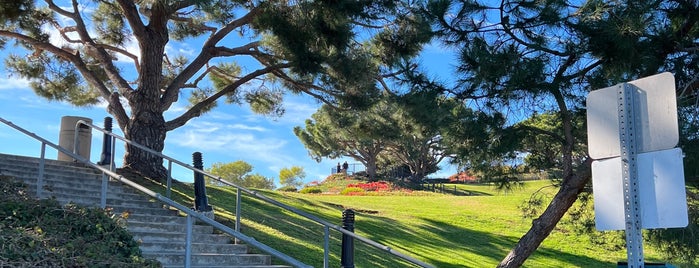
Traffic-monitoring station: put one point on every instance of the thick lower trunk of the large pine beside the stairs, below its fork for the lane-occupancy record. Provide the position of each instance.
(147, 129)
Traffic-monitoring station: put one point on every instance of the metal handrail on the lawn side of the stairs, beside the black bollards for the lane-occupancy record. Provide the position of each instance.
(326, 224)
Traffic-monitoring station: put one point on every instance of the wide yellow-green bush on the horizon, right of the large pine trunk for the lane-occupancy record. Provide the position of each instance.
(238, 172)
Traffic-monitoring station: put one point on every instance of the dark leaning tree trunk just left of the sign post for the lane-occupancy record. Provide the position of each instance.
(542, 226)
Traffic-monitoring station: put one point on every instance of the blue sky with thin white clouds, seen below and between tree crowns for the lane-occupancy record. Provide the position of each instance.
(228, 133)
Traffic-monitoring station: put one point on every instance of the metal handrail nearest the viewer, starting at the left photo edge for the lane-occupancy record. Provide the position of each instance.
(189, 212)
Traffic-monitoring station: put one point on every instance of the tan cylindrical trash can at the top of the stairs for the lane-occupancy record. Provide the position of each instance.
(66, 137)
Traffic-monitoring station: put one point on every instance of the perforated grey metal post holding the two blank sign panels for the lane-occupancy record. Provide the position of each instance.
(632, 209)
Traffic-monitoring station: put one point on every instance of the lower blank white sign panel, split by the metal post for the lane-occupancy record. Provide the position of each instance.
(661, 187)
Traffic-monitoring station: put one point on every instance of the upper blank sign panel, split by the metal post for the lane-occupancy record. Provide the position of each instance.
(656, 117)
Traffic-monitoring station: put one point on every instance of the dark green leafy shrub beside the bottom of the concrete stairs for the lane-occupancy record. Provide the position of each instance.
(42, 233)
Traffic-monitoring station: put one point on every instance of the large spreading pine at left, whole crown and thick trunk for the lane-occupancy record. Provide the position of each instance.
(116, 52)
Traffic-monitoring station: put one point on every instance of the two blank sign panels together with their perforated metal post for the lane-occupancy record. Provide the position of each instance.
(637, 175)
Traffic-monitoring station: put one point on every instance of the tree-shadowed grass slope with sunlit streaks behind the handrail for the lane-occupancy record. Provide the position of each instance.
(303, 239)
